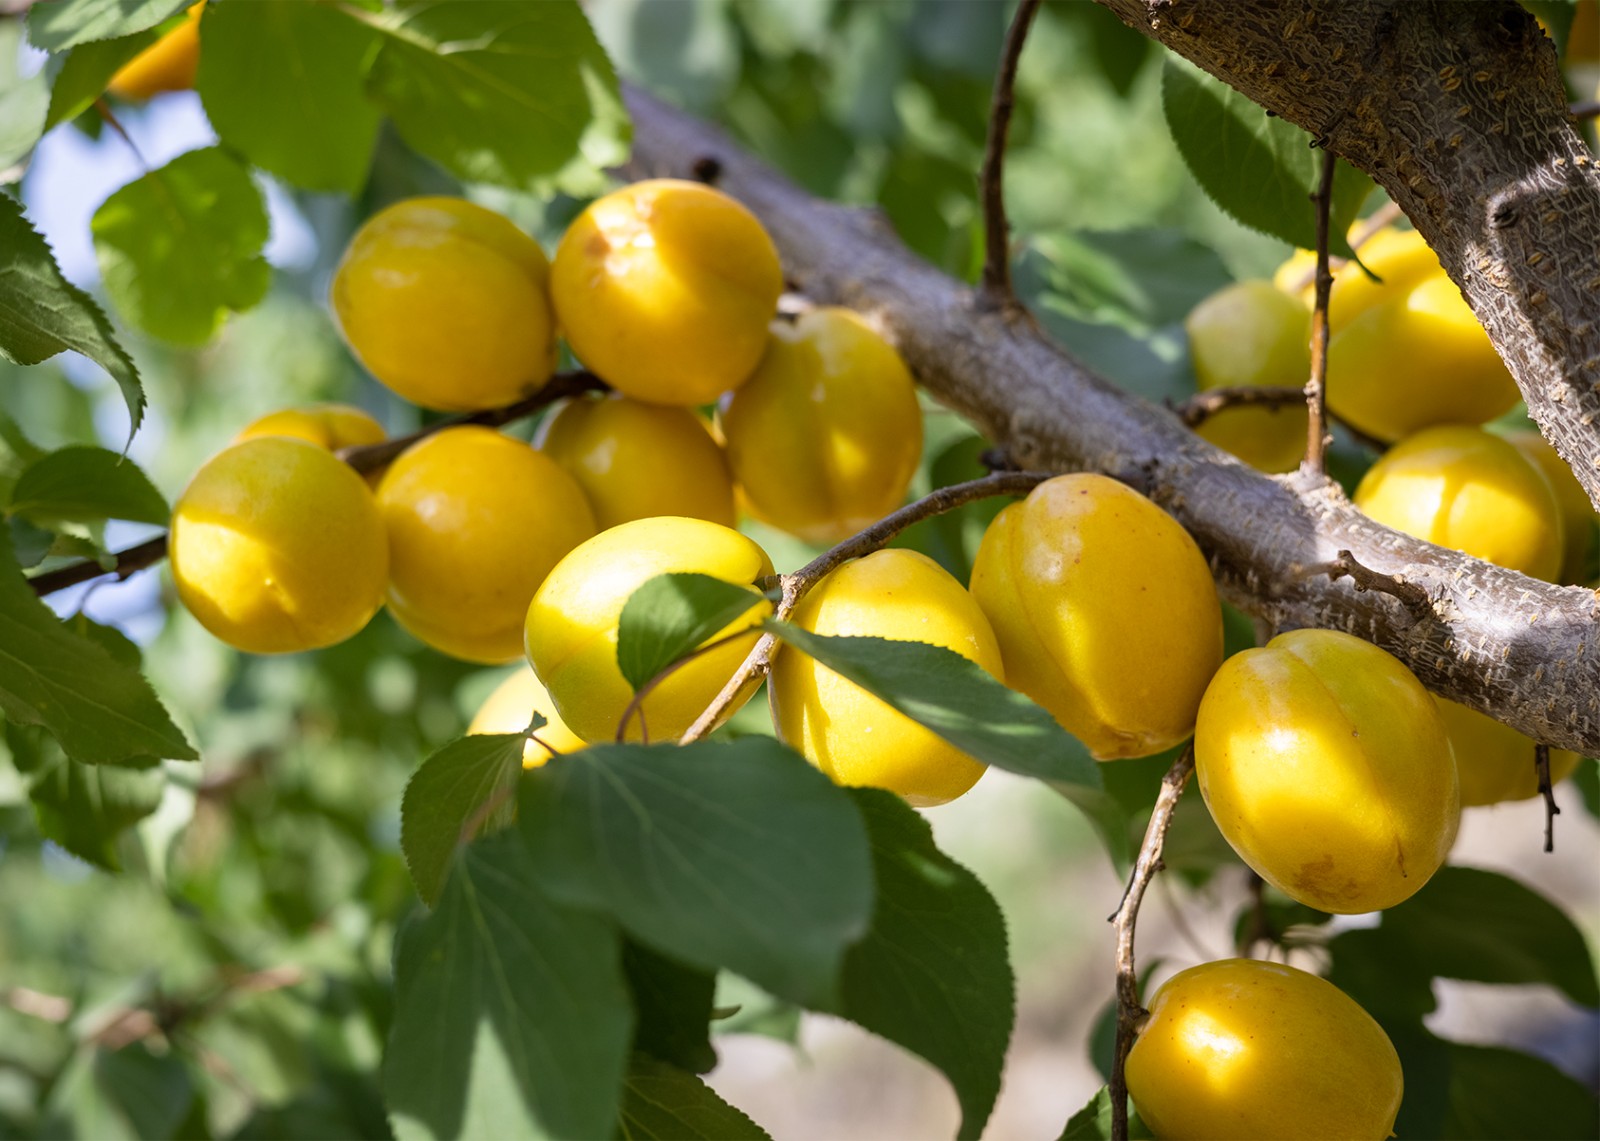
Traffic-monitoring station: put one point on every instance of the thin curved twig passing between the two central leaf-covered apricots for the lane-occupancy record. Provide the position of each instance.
(794, 587)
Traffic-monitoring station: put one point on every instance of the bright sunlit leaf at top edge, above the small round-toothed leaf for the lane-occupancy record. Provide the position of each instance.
(284, 84)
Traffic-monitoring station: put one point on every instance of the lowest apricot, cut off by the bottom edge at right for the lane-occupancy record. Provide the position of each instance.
(1244, 1051)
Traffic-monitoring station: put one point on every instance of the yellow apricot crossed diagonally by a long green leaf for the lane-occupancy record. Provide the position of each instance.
(844, 731)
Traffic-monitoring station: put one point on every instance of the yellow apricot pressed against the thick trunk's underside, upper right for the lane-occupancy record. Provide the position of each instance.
(1407, 353)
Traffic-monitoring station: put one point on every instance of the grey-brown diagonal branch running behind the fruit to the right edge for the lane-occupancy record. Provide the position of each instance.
(1497, 641)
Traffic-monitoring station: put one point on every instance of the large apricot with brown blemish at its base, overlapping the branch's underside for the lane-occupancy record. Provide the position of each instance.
(1326, 764)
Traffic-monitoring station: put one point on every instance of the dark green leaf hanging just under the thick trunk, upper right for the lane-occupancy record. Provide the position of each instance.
(1257, 167)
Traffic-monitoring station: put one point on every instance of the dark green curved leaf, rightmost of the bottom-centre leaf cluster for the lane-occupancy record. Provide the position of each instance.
(932, 974)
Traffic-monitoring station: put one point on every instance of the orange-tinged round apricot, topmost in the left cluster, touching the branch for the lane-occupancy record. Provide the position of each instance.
(665, 289)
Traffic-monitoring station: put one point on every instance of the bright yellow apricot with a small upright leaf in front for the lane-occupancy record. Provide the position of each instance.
(572, 623)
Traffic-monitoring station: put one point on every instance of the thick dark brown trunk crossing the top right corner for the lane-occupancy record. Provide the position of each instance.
(1458, 111)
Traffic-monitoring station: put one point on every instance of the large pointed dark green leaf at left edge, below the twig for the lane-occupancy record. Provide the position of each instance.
(97, 708)
